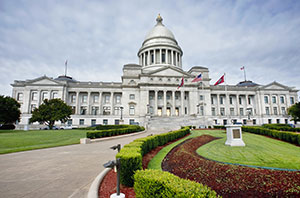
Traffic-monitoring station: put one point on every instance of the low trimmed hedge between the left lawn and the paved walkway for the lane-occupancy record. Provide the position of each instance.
(113, 132)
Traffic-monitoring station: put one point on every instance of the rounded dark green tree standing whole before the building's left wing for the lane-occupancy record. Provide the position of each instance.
(51, 111)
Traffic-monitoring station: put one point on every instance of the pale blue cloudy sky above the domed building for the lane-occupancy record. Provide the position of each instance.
(98, 37)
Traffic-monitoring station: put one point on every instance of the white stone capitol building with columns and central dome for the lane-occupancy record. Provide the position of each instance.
(158, 93)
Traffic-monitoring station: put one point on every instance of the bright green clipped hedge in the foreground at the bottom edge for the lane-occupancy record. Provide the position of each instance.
(156, 183)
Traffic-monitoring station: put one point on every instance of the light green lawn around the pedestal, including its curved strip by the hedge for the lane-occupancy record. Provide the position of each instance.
(259, 151)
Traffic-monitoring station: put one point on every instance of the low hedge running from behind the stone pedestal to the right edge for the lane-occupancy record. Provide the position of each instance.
(290, 137)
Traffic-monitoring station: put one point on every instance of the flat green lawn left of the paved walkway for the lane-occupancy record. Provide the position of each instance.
(14, 140)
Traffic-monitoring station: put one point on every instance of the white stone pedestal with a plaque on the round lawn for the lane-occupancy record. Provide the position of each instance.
(234, 135)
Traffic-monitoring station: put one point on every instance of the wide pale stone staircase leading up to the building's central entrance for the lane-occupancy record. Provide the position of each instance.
(174, 123)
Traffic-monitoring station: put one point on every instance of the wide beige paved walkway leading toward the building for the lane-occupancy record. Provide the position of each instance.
(66, 171)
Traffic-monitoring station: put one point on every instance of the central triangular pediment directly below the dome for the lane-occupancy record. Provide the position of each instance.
(169, 72)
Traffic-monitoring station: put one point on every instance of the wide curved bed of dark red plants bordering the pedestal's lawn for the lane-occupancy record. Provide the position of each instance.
(229, 180)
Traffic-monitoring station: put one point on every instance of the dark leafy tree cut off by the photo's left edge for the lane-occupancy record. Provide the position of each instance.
(9, 110)
